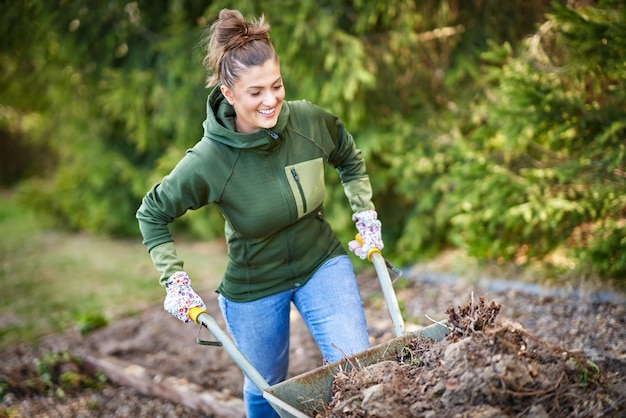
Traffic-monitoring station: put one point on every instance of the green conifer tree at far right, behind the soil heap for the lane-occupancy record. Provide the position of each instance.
(545, 151)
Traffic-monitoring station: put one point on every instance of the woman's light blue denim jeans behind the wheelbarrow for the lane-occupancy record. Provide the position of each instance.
(329, 303)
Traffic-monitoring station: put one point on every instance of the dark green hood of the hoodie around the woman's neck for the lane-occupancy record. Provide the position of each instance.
(220, 125)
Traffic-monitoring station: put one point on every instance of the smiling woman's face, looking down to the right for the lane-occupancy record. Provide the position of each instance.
(257, 97)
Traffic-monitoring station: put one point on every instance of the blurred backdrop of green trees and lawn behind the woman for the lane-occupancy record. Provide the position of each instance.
(495, 130)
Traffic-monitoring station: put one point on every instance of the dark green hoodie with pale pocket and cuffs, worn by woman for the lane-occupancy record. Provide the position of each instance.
(269, 186)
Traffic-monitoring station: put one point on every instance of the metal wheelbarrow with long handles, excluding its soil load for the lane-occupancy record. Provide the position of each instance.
(305, 395)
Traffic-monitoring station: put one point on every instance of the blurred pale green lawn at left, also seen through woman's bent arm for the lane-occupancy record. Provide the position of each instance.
(52, 280)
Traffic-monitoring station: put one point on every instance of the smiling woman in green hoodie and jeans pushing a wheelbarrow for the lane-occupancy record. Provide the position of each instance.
(261, 161)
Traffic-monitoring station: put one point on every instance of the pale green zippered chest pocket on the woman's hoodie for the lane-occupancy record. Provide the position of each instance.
(306, 180)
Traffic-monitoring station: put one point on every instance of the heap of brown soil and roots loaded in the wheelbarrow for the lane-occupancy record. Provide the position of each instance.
(483, 368)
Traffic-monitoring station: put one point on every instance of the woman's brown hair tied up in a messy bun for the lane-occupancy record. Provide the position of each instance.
(232, 44)
